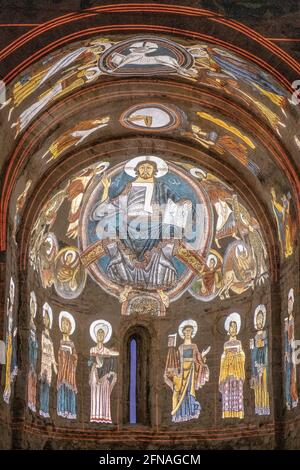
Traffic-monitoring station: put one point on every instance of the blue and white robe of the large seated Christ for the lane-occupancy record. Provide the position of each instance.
(135, 212)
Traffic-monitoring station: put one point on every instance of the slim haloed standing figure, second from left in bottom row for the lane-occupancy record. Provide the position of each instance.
(33, 355)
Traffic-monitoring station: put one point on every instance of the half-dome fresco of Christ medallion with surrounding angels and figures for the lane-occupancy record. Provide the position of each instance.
(146, 230)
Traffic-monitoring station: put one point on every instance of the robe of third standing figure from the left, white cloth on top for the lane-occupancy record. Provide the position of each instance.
(47, 362)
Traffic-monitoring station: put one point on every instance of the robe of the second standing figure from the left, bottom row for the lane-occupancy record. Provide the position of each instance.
(32, 375)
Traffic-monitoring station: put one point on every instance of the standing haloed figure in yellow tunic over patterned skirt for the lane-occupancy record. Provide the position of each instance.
(232, 371)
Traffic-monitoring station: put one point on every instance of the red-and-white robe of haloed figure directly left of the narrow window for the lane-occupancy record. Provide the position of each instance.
(102, 380)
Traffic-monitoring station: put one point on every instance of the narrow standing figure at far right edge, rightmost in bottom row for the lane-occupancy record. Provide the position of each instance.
(291, 394)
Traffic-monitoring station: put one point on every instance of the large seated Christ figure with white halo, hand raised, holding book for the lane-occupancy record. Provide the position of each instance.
(139, 218)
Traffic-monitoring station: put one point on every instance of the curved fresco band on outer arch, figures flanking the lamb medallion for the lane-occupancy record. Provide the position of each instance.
(88, 61)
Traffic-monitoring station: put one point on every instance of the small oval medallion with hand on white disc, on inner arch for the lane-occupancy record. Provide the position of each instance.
(151, 117)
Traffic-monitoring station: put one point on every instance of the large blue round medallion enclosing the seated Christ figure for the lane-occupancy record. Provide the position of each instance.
(138, 228)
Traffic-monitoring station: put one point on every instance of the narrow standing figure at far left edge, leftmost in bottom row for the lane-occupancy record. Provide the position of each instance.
(11, 345)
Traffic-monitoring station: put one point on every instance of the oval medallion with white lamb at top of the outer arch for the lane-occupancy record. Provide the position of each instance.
(144, 56)
